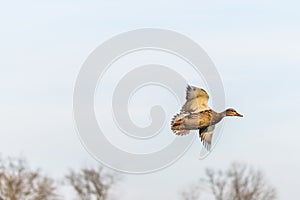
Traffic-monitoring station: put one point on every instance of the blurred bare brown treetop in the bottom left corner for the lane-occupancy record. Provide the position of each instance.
(17, 181)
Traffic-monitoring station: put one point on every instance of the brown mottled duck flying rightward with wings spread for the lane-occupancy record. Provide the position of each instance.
(196, 115)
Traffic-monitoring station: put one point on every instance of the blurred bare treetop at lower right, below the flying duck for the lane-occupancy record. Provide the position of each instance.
(239, 182)
